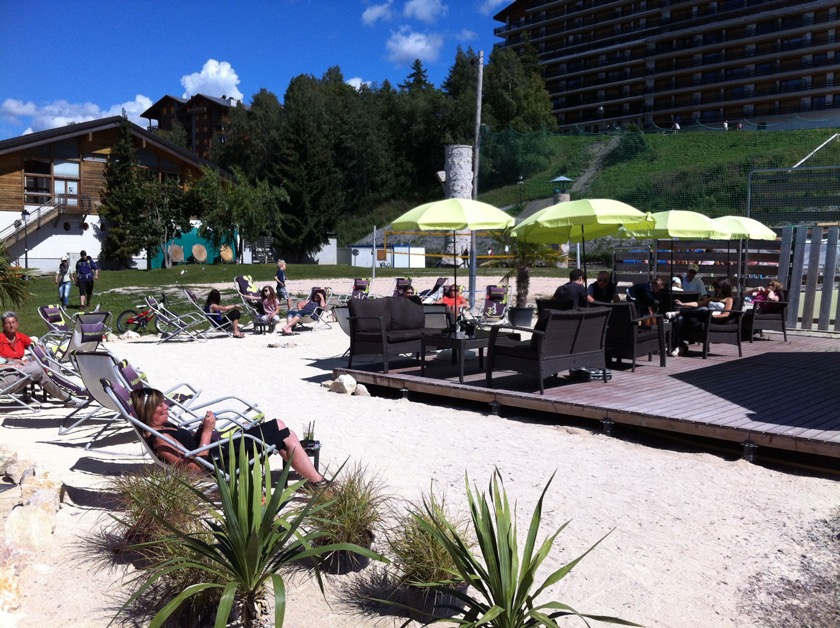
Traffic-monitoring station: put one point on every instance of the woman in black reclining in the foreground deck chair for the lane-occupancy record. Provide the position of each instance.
(152, 409)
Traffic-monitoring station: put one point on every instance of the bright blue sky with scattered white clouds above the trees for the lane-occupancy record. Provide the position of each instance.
(70, 61)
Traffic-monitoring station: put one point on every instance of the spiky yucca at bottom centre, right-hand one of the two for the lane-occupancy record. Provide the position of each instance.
(503, 578)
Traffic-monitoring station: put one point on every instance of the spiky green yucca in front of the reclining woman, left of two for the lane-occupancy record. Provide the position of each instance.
(249, 538)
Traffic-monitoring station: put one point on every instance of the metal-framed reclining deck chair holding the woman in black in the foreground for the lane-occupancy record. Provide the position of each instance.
(121, 398)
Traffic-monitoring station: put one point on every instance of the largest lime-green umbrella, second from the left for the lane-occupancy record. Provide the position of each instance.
(575, 221)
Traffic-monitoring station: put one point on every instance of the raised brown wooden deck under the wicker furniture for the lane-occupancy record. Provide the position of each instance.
(779, 395)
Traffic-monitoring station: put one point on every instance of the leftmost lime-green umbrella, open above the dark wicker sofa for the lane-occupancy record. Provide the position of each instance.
(454, 214)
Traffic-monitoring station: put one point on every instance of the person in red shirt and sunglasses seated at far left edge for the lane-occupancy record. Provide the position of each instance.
(14, 363)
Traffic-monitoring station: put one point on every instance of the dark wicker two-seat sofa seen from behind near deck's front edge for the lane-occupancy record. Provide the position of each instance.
(560, 340)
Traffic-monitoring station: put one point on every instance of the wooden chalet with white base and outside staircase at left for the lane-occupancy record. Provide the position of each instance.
(51, 182)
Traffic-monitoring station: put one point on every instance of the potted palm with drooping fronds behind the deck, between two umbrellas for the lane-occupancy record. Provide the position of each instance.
(521, 256)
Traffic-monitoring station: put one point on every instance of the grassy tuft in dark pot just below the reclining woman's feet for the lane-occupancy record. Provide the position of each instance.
(347, 510)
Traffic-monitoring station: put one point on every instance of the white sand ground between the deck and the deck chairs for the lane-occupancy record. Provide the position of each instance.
(696, 540)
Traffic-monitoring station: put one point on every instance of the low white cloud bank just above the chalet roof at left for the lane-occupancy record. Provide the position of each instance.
(61, 113)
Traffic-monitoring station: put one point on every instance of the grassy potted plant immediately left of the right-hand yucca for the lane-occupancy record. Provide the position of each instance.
(419, 560)
